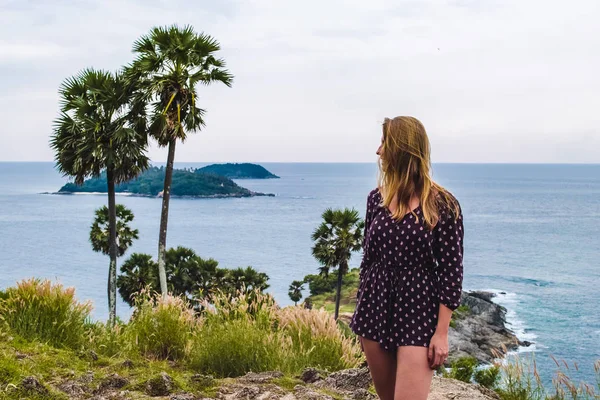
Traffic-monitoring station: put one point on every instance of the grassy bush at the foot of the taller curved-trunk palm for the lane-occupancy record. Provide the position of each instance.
(162, 328)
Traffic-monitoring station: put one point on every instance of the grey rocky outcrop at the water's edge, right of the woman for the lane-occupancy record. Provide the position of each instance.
(480, 331)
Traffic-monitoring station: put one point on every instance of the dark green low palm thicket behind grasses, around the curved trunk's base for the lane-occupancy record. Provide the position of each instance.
(189, 276)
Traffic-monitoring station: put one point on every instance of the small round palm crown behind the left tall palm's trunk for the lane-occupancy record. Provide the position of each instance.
(99, 231)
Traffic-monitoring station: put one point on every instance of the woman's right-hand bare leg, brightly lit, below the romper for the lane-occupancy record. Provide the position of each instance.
(413, 374)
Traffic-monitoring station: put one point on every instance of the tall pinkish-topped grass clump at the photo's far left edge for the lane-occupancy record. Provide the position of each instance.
(40, 310)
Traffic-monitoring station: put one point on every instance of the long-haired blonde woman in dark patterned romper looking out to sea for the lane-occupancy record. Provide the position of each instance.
(411, 273)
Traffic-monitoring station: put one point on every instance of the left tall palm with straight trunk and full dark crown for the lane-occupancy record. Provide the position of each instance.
(96, 131)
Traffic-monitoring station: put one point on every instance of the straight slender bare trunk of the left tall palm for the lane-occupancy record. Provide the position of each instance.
(112, 248)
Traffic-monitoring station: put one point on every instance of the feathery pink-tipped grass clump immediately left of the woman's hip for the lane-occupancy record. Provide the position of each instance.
(317, 341)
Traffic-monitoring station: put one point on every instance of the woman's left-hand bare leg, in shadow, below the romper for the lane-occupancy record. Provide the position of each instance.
(382, 365)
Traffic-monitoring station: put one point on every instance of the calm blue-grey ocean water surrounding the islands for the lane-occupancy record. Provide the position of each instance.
(531, 231)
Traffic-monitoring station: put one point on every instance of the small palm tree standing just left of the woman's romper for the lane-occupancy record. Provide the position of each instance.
(339, 235)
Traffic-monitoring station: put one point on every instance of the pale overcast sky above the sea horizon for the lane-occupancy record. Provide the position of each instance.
(491, 80)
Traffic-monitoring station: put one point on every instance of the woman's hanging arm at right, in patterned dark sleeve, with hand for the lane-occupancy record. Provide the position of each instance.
(448, 251)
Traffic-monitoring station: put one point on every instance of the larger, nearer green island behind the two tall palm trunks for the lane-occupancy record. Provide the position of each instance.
(188, 183)
